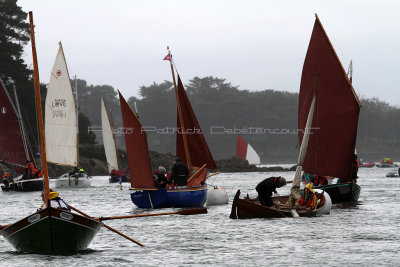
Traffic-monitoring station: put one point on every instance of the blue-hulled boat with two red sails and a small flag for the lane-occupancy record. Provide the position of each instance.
(191, 148)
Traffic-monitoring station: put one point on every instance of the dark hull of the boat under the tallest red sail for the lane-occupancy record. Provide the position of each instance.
(342, 193)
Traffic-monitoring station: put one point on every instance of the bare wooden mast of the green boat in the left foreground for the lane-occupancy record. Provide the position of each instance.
(39, 112)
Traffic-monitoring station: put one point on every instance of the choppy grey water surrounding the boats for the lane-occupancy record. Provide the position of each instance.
(366, 234)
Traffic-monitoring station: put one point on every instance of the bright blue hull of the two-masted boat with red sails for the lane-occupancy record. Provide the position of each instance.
(168, 198)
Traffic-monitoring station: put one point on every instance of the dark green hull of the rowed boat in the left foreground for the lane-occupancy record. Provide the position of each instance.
(52, 231)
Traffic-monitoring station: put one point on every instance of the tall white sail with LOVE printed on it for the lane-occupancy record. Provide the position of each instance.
(60, 116)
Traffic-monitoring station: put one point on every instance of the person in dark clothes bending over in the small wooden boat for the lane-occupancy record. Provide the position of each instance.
(268, 186)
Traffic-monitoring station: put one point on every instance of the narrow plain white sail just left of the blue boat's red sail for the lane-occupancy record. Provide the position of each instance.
(108, 139)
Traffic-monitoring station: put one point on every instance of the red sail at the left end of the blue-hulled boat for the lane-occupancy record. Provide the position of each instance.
(136, 148)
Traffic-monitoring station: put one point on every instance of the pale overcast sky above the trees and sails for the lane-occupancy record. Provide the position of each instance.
(255, 45)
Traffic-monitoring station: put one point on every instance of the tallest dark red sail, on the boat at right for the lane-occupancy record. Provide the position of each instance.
(333, 137)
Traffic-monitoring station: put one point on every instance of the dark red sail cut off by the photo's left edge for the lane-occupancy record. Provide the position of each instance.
(11, 142)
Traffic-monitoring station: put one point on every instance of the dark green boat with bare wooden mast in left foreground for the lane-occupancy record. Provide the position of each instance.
(49, 230)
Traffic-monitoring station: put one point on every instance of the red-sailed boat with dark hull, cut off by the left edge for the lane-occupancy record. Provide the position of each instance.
(14, 150)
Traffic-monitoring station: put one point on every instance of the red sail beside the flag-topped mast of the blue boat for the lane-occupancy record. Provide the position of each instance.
(199, 152)
